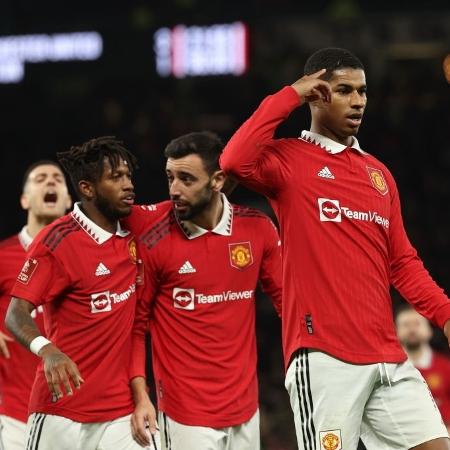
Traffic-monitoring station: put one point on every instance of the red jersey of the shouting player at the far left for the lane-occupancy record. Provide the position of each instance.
(16, 373)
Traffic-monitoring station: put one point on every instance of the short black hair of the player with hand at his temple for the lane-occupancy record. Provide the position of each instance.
(331, 58)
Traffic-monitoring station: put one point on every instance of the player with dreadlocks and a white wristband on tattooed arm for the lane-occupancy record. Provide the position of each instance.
(84, 270)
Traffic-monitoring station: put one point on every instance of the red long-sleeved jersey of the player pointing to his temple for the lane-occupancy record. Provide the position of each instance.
(342, 234)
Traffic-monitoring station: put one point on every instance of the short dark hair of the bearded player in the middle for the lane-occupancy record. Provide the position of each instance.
(207, 145)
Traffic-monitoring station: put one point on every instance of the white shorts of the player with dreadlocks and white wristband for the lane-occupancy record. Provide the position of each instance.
(48, 432)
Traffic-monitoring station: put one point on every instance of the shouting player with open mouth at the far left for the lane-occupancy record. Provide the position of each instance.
(45, 198)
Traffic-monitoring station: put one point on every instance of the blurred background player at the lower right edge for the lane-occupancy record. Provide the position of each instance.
(415, 333)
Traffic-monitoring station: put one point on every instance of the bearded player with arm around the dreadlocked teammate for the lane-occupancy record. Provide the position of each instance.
(202, 260)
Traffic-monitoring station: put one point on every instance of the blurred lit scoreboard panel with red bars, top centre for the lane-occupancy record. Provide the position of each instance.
(201, 50)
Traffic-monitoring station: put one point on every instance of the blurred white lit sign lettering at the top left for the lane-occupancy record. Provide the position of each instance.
(15, 51)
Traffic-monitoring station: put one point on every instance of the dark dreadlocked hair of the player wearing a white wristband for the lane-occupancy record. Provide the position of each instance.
(87, 161)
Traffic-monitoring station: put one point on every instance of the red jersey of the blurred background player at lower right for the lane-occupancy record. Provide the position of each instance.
(435, 368)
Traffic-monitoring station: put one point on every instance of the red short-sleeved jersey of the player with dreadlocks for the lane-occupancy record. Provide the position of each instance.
(85, 278)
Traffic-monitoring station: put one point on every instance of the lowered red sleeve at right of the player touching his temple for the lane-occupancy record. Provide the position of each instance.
(408, 274)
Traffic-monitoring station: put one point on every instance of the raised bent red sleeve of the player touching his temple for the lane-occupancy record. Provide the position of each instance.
(249, 155)
